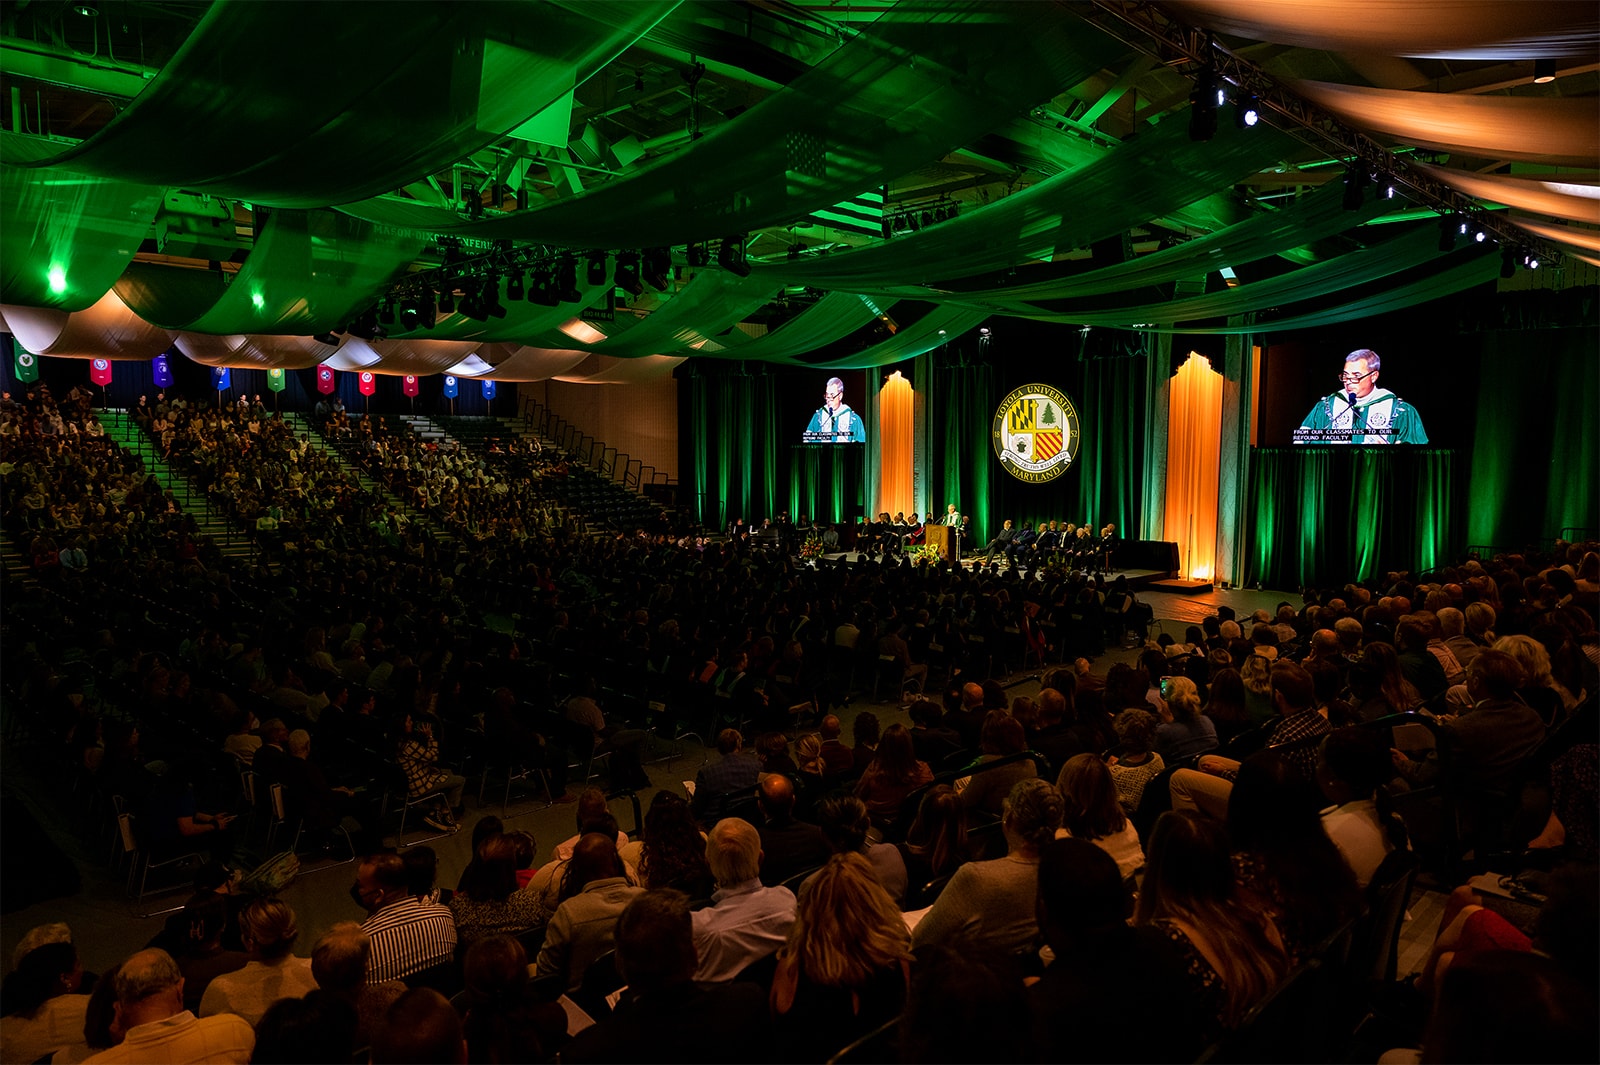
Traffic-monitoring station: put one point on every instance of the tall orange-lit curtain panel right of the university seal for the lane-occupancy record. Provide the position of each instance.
(1194, 452)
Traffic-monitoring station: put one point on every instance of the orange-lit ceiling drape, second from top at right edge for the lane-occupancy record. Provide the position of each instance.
(1540, 129)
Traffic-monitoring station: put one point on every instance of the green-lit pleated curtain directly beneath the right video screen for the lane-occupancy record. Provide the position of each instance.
(1329, 516)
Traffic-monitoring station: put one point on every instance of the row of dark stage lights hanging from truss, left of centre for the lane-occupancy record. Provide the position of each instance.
(473, 287)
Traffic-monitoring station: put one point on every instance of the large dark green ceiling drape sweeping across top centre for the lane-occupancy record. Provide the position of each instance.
(906, 92)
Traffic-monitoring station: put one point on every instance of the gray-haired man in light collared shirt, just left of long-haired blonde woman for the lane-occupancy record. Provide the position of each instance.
(746, 922)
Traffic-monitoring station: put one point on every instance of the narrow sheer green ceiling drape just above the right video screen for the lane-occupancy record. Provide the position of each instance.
(1399, 255)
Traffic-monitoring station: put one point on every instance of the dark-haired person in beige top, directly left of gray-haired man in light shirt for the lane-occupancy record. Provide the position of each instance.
(594, 891)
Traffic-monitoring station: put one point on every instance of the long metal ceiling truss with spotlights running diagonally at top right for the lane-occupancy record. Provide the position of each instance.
(1161, 36)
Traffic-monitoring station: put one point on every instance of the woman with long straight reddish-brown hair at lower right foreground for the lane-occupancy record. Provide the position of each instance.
(1233, 954)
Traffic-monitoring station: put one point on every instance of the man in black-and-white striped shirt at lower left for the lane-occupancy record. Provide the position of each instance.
(407, 935)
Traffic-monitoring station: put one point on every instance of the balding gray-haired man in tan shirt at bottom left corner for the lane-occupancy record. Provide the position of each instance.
(158, 1031)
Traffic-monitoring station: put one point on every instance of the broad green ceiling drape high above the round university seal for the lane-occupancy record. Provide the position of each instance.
(1143, 178)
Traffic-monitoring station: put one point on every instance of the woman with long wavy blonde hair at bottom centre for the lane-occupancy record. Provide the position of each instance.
(846, 967)
